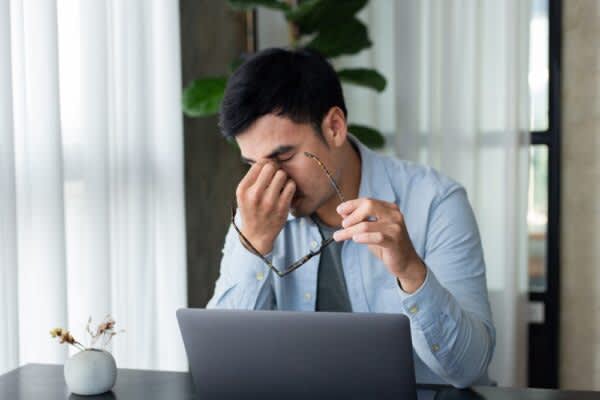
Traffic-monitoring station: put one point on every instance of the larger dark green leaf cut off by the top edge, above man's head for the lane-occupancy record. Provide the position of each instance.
(313, 15)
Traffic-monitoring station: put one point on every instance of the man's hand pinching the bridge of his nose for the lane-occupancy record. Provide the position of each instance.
(264, 197)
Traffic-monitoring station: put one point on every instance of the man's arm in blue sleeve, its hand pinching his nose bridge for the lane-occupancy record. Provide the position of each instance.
(264, 196)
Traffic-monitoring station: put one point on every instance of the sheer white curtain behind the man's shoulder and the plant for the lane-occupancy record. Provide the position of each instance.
(457, 99)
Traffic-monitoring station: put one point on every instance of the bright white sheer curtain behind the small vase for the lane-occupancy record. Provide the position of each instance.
(91, 178)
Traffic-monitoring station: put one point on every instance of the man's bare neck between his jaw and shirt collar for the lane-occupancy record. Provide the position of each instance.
(348, 182)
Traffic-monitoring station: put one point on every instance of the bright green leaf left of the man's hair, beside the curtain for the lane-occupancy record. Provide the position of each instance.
(203, 97)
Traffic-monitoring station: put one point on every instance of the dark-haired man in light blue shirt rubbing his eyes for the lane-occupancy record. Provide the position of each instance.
(405, 238)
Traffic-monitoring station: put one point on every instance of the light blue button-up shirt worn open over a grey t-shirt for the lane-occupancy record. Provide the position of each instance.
(451, 323)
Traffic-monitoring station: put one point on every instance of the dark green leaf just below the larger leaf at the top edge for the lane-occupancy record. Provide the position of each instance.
(349, 38)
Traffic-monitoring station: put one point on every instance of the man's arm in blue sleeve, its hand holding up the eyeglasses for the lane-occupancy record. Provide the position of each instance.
(448, 305)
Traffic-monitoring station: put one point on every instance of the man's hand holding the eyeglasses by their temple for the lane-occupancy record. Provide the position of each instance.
(380, 225)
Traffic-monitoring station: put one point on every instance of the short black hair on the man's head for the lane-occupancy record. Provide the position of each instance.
(298, 84)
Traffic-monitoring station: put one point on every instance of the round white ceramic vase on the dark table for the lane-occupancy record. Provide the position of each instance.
(91, 372)
